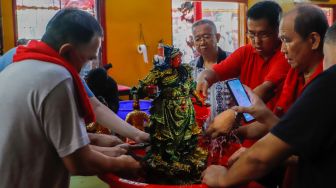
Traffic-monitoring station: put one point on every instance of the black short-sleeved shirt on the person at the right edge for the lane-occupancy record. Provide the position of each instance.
(309, 127)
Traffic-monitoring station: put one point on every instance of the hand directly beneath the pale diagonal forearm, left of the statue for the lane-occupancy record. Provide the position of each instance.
(104, 140)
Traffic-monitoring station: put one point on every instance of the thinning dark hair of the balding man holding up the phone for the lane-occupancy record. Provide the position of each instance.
(309, 18)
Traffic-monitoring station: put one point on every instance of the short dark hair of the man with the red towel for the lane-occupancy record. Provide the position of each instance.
(71, 25)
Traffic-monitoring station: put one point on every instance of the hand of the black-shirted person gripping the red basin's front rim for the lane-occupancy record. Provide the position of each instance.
(213, 174)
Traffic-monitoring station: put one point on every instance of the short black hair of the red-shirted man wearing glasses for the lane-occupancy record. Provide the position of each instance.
(268, 10)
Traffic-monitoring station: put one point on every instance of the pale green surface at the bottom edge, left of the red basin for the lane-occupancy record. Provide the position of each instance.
(87, 182)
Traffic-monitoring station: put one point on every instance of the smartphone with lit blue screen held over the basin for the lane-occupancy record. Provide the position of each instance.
(240, 96)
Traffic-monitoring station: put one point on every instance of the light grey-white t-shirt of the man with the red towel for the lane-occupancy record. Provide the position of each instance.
(32, 160)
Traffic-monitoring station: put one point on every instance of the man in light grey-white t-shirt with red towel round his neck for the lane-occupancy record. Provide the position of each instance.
(42, 133)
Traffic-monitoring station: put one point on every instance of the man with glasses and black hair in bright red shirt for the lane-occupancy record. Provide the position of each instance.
(259, 65)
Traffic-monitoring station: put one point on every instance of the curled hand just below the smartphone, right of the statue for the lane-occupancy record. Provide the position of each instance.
(222, 123)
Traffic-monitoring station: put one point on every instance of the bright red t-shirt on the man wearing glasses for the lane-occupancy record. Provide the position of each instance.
(252, 70)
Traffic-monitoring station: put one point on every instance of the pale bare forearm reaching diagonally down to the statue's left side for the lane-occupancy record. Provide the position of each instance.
(109, 119)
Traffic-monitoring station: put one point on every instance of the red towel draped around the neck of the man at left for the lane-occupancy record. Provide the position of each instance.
(40, 51)
